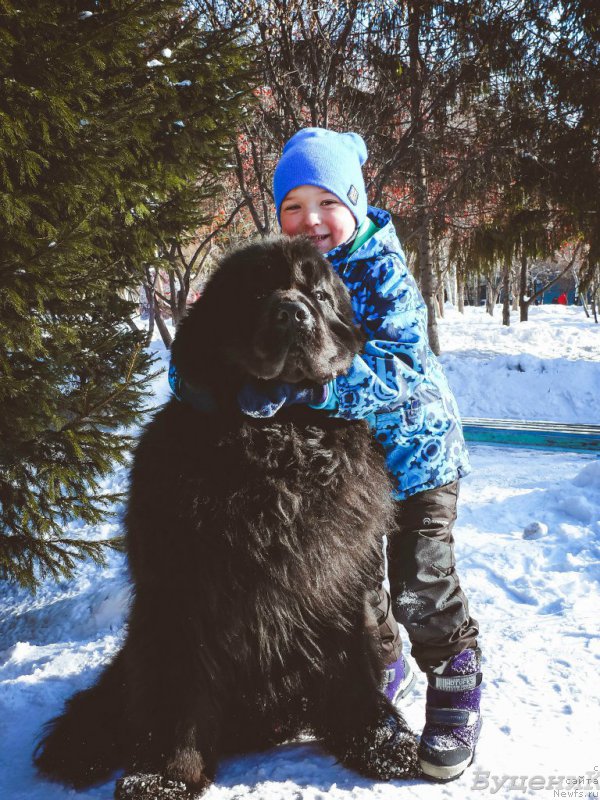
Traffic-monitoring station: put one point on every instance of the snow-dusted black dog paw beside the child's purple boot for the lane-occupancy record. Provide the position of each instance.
(385, 752)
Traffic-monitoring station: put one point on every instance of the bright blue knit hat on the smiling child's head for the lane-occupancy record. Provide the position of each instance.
(333, 161)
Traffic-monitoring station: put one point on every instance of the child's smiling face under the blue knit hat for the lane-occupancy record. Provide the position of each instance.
(318, 214)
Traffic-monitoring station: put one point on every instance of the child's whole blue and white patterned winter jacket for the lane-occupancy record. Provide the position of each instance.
(396, 384)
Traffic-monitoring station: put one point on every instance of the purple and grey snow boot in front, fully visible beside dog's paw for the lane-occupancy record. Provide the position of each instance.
(452, 718)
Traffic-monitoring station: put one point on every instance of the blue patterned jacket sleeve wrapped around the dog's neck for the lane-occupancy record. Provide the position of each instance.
(389, 308)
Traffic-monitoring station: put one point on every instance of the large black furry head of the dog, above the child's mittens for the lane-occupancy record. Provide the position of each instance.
(273, 310)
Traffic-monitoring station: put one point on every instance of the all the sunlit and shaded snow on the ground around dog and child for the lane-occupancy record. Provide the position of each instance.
(536, 598)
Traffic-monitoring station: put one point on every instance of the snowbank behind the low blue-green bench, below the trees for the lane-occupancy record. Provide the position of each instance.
(544, 369)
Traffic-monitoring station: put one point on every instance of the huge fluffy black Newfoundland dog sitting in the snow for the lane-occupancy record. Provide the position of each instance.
(252, 544)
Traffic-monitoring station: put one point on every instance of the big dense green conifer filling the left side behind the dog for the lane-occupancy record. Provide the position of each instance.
(114, 123)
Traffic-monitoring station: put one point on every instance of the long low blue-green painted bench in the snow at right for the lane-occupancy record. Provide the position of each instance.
(542, 435)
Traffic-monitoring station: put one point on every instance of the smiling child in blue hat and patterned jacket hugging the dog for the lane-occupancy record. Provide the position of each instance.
(398, 386)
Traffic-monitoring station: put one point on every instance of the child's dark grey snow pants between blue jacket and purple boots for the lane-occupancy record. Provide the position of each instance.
(426, 598)
